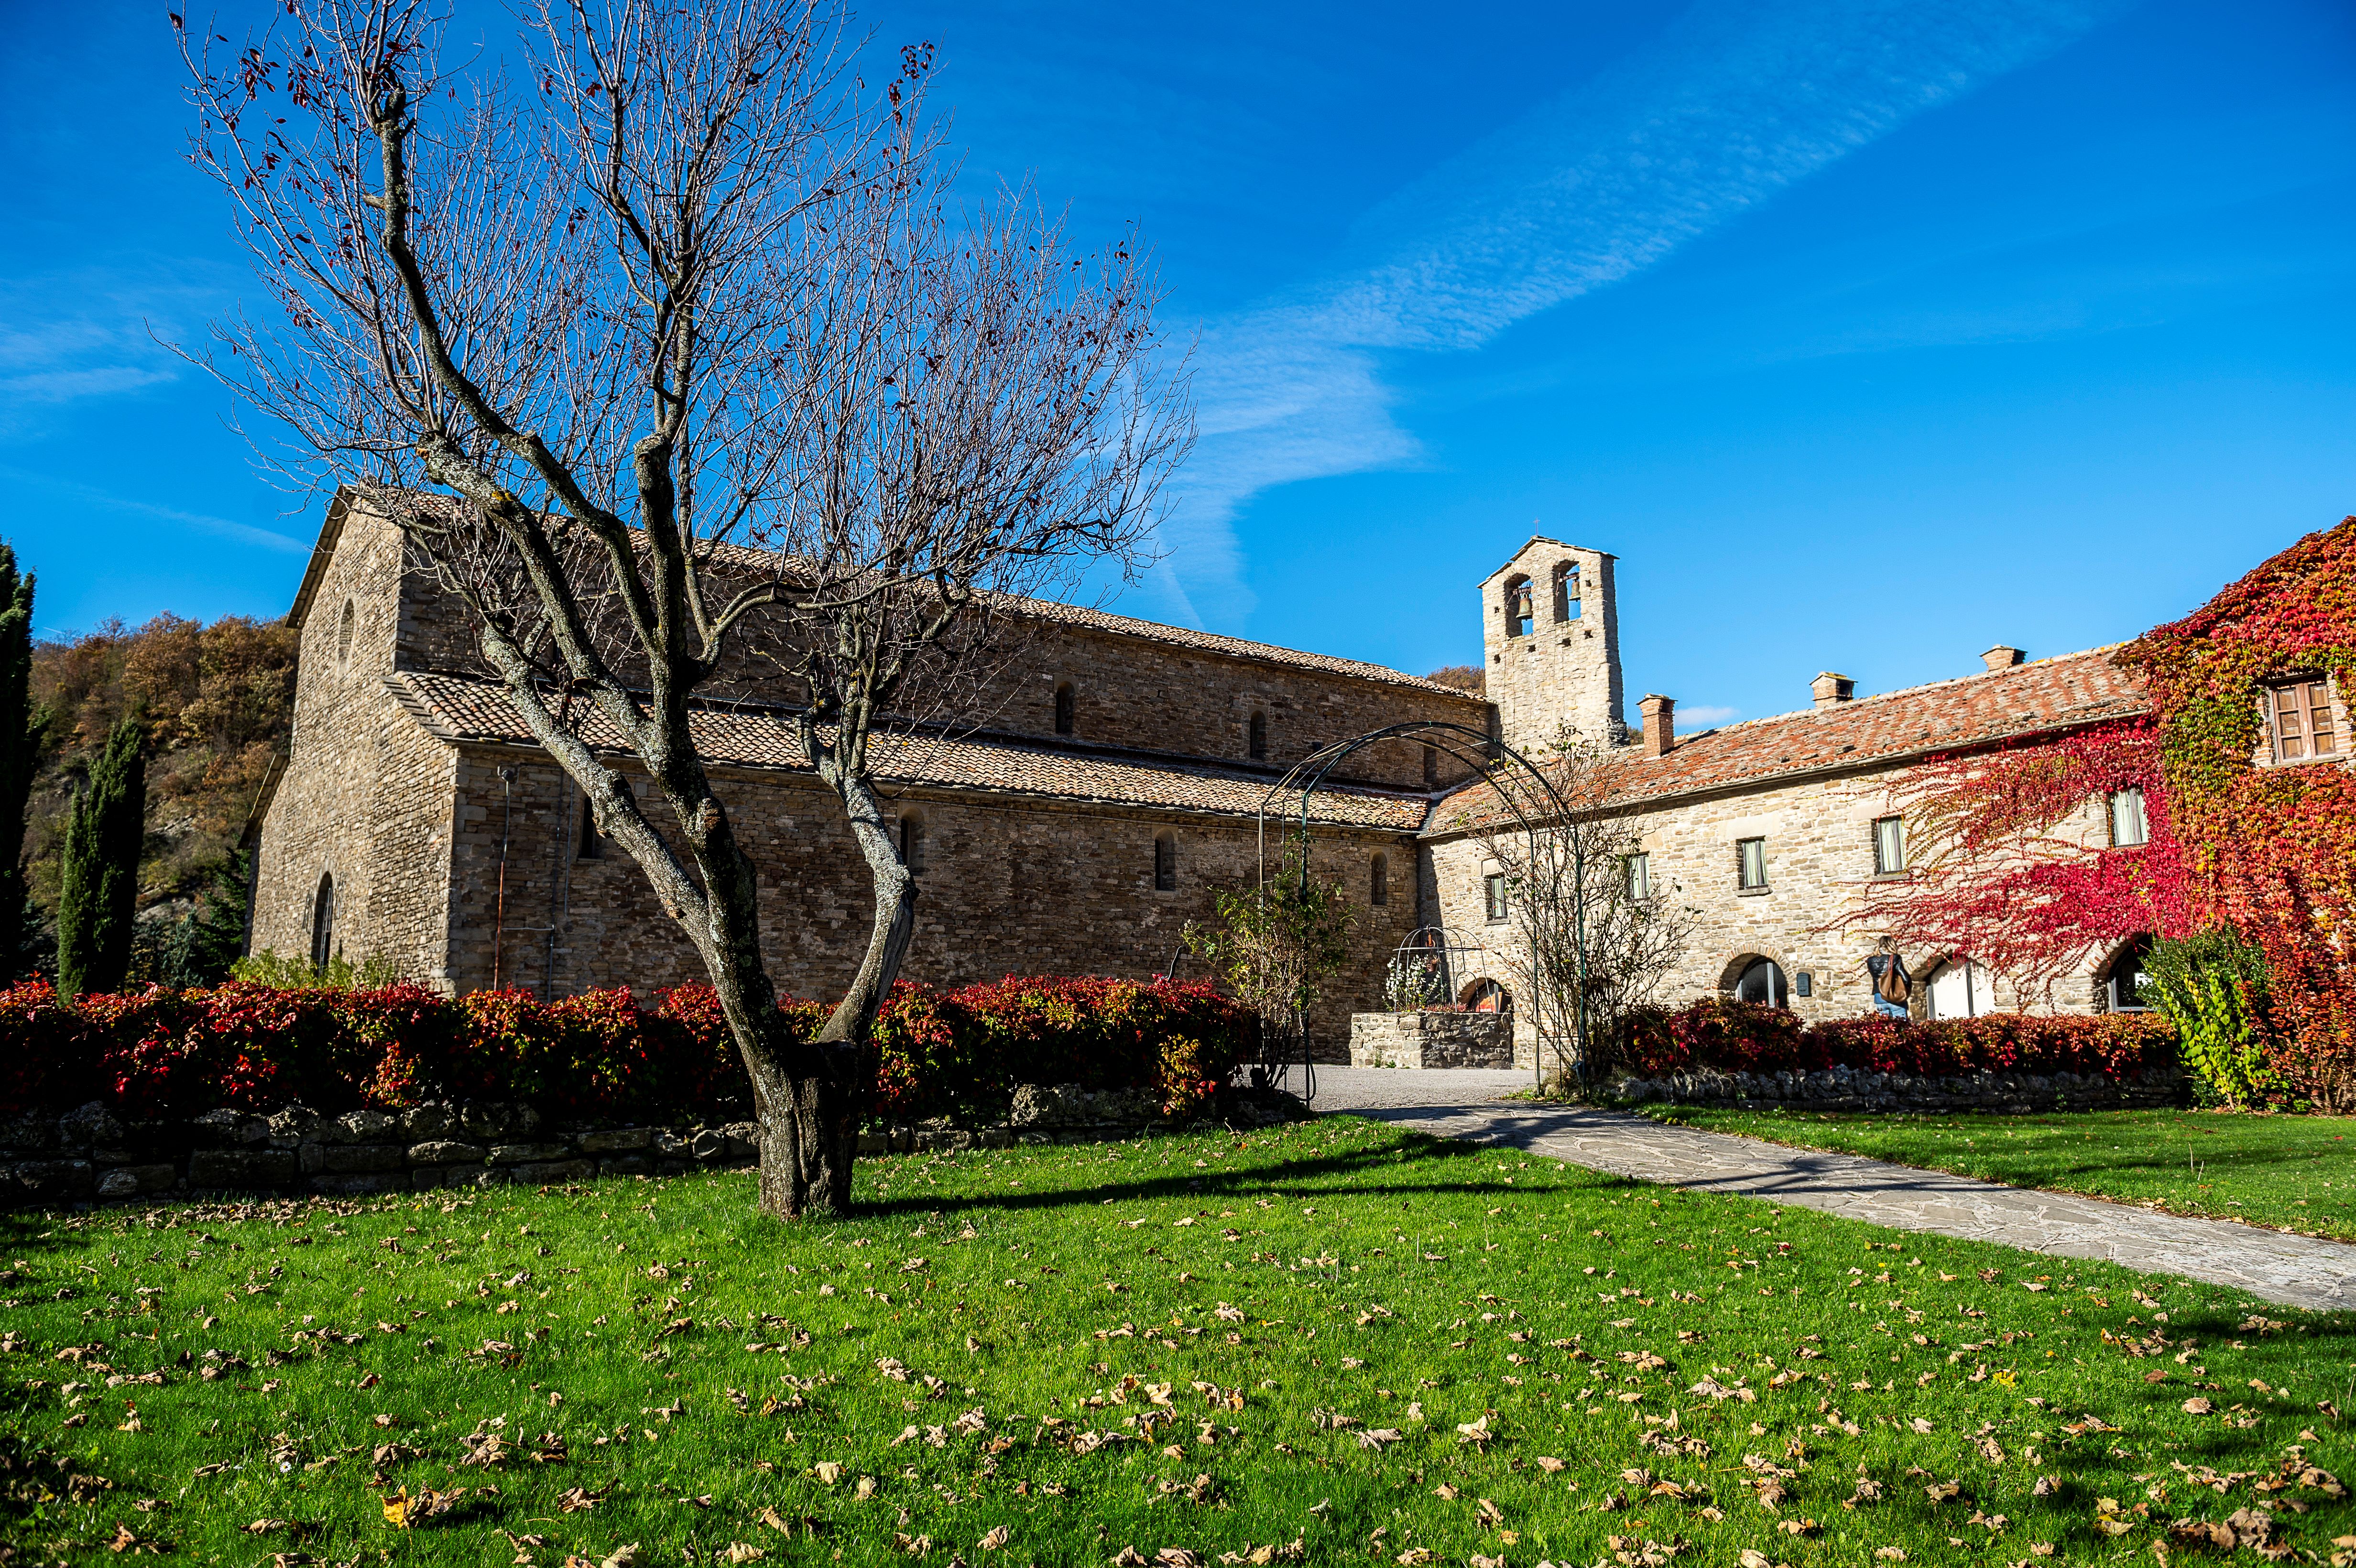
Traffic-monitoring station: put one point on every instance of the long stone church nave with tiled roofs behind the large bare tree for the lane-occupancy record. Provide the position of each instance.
(1118, 783)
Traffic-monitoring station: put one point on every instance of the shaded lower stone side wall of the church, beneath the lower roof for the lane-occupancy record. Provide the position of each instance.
(1007, 886)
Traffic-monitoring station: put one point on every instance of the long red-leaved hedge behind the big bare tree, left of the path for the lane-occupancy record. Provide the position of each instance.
(597, 1056)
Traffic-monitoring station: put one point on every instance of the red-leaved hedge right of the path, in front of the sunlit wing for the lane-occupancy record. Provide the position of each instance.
(1747, 1037)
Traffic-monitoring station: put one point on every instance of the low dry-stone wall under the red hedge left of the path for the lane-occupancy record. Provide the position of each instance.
(95, 1155)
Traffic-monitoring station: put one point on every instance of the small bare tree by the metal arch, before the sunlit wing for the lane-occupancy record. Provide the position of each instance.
(1594, 934)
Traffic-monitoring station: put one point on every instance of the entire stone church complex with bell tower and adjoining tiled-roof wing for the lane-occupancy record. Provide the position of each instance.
(1118, 783)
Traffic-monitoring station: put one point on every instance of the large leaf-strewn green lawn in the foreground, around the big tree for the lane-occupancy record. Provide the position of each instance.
(1328, 1343)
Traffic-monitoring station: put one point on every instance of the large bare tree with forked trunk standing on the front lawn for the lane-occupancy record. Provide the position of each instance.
(661, 347)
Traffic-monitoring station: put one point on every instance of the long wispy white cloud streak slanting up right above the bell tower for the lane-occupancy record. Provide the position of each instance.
(1726, 109)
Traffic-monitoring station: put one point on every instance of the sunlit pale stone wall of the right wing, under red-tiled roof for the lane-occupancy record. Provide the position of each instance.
(1820, 861)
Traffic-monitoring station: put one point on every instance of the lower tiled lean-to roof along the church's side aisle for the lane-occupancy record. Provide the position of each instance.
(465, 710)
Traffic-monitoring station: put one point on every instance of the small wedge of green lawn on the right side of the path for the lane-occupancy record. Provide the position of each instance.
(2294, 1174)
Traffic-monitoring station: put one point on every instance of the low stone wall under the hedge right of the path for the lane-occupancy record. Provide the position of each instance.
(1851, 1089)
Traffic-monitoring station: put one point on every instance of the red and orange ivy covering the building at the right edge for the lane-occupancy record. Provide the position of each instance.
(2270, 851)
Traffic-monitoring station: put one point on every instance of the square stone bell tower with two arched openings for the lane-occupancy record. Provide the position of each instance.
(1551, 644)
